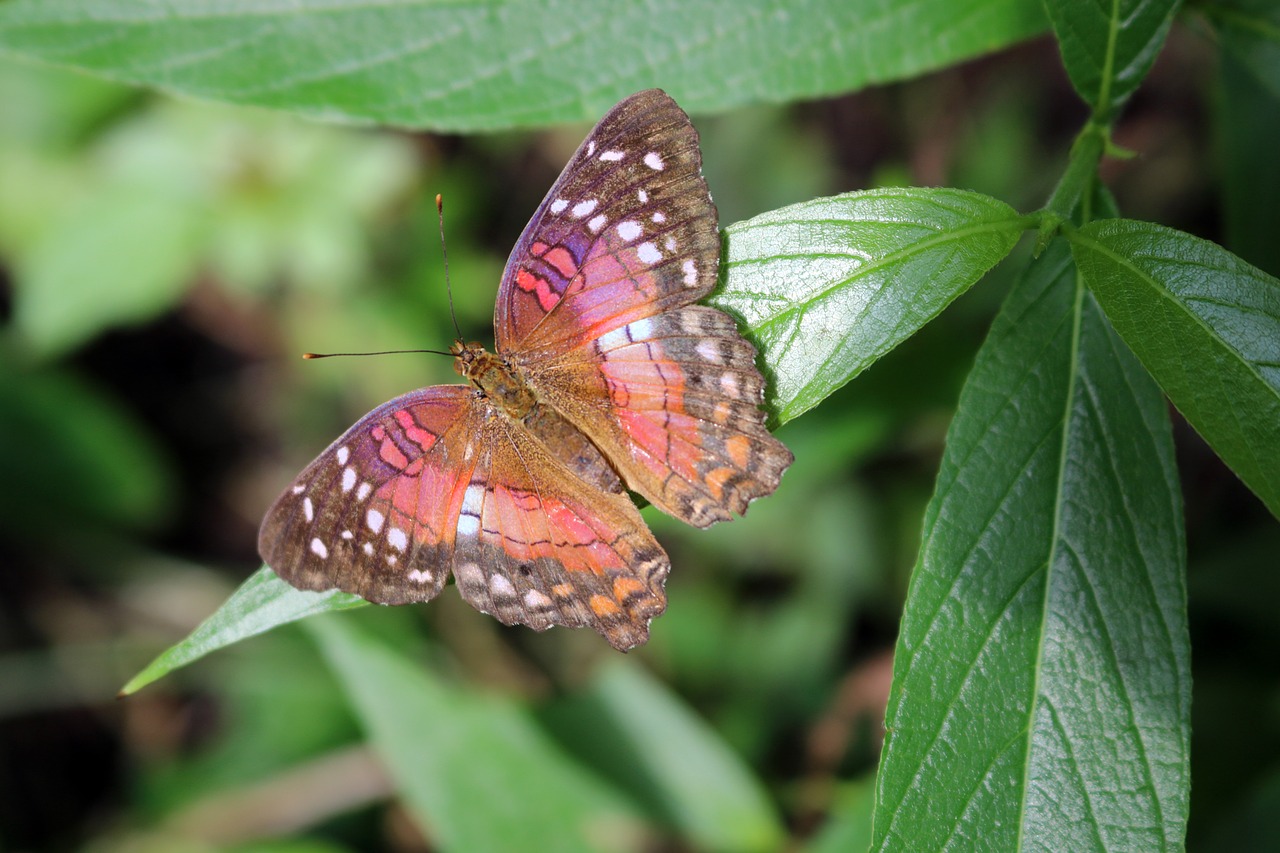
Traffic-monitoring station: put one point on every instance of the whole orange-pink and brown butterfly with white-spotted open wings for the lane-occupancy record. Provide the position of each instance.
(607, 377)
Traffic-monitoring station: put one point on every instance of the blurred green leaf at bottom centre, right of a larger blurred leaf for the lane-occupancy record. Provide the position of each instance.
(634, 728)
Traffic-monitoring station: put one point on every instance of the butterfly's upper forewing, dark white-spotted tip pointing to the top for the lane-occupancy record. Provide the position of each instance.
(628, 231)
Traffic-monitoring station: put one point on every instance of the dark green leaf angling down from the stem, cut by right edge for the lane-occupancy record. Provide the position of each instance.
(1206, 326)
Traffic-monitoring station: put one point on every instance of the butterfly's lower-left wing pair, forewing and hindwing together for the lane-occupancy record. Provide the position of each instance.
(437, 482)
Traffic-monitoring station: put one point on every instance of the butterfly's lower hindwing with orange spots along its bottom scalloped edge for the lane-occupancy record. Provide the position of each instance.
(542, 546)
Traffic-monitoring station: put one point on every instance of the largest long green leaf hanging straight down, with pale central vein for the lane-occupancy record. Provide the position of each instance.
(1043, 683)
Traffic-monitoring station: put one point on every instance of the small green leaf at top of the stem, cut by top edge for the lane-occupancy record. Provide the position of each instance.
(1109, 48)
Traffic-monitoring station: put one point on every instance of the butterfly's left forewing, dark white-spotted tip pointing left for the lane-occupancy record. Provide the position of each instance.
(377, 513)
